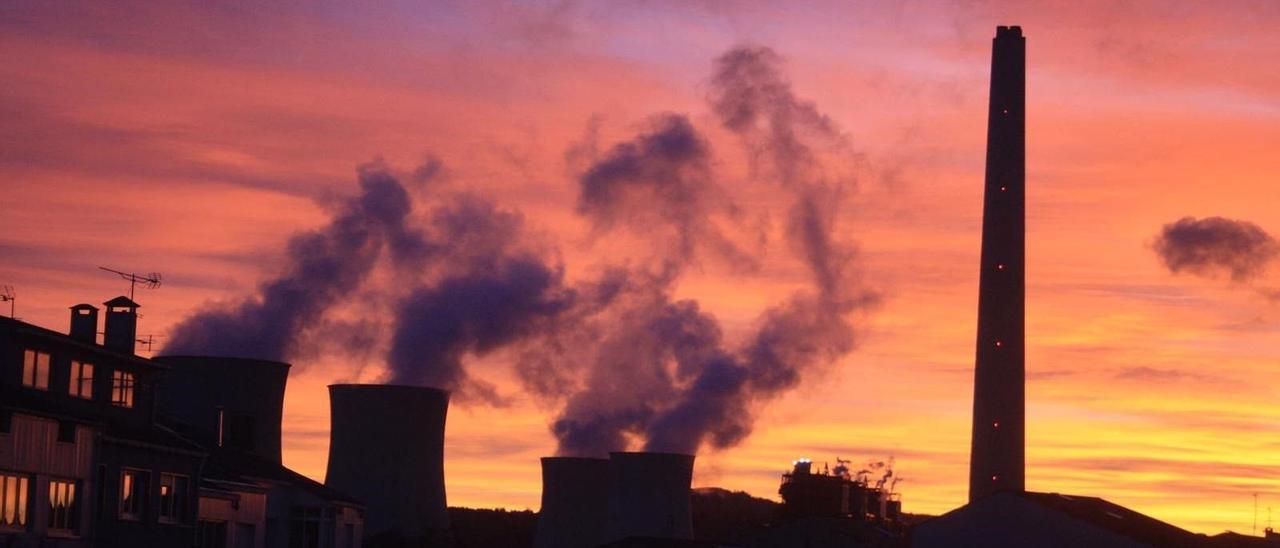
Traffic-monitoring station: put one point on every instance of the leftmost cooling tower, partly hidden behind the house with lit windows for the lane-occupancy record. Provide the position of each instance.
(230, 403)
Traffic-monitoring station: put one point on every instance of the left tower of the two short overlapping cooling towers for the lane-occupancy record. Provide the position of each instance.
(575, 503)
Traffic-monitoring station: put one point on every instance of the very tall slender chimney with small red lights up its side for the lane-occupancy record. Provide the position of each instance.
(998, 456)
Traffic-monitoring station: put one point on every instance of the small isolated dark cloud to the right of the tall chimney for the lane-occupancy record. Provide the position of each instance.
(1215, 245)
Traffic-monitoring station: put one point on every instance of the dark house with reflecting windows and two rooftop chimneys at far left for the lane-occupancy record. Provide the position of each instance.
(83, 462)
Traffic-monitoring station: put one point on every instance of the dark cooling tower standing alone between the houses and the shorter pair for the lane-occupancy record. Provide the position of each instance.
(387, 450)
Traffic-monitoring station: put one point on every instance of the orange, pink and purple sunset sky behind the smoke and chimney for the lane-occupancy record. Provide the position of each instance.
(196, 140)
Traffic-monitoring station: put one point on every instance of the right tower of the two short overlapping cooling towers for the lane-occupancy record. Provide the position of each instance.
(650, 496)
